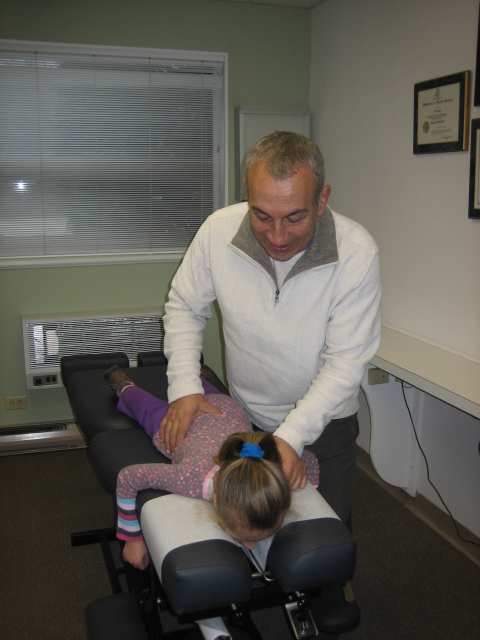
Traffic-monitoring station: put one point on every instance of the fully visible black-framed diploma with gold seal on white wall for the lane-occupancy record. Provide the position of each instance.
(441, 114)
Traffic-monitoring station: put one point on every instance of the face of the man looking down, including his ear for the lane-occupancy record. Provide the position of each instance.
(283, 213)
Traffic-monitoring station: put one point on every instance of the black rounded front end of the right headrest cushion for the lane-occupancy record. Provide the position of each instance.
(312, 553)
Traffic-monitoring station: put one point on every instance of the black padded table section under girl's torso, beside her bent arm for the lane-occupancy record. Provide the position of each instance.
(111, 451)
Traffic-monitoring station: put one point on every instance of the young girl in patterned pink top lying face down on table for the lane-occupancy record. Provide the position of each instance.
(221, 460)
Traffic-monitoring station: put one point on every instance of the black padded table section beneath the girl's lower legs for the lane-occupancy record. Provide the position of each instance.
(95, 405)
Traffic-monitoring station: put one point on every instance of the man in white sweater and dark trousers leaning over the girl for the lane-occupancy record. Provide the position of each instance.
(298, 288)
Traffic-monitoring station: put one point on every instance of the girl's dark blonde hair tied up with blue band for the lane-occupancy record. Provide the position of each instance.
(251, 492)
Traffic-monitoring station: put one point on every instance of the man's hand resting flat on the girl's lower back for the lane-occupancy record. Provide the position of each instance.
(179, 417)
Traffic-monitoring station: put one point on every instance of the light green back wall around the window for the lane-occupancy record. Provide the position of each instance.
(268, 65)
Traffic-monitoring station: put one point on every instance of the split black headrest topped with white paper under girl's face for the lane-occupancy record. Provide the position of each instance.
(313, 549)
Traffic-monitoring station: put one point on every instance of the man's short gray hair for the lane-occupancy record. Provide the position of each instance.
(283, 153)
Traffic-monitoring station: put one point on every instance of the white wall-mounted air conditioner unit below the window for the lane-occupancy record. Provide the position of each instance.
(47, 338)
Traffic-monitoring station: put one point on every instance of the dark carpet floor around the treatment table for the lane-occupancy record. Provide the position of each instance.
(410, 583)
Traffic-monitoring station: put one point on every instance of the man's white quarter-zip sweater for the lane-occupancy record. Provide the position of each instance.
(296, 354)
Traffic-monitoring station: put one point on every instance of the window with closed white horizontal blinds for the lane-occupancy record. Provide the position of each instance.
(107, 154)
